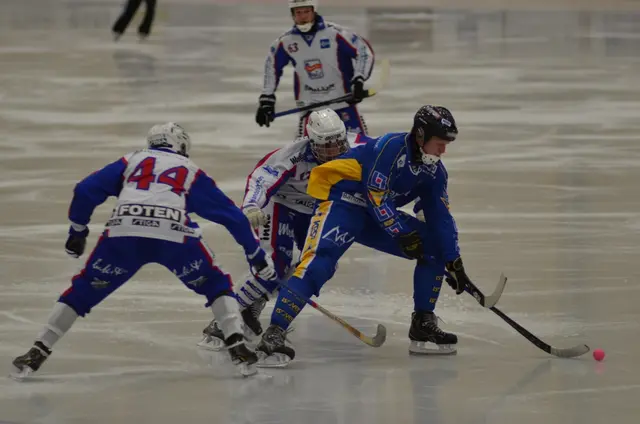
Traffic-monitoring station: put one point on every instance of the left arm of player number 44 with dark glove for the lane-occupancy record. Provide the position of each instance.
(88, 194)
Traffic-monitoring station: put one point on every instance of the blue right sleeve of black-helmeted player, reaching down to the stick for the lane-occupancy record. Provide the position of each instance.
(435, 206)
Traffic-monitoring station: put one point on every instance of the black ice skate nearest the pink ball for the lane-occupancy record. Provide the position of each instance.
(427, 338)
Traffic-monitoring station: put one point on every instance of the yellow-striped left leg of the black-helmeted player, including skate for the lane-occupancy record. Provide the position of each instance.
(334, 227)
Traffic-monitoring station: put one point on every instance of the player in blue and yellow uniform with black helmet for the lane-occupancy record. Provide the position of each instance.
(359, 195)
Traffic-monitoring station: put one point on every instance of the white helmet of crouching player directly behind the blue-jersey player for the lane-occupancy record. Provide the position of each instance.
(328, 135)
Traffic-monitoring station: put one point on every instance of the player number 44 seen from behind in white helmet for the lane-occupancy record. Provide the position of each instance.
(157, 188)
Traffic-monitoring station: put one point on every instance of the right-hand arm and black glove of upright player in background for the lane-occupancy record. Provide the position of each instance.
(360, 51)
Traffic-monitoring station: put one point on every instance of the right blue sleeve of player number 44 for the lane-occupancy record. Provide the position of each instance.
(208, 201)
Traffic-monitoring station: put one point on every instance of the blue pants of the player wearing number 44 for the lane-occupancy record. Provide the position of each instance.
(114, 261)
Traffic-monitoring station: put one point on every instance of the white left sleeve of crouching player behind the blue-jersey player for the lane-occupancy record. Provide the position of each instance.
(271, 173)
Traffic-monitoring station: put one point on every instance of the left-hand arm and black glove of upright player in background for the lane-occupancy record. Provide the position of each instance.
(275, 62)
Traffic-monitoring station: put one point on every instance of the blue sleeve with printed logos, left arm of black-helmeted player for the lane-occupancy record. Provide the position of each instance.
(380, 177)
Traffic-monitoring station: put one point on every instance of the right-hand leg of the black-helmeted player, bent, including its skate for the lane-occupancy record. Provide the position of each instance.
(425, 336)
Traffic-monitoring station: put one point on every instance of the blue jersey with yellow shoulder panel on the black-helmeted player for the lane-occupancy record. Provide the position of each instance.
(382, 176)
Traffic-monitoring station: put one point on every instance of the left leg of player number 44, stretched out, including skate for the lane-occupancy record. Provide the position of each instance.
(112, 262)
